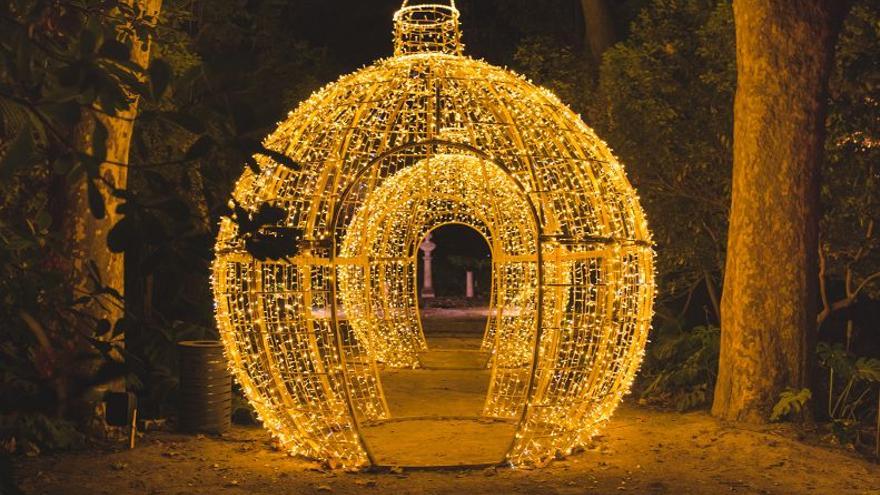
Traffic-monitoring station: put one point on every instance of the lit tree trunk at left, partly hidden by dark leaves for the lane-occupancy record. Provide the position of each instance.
(88, 235)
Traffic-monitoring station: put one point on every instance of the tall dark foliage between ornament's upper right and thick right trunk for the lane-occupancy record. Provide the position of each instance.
(665, 103)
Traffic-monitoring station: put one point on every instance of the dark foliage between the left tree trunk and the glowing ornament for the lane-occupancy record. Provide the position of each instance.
(237, 69)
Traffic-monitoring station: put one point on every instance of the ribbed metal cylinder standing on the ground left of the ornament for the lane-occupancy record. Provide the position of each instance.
(205, 392)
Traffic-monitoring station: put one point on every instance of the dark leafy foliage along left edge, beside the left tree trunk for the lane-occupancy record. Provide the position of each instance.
(60, 63)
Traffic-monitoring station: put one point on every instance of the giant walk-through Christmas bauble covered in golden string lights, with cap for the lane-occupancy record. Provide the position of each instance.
(385, 155)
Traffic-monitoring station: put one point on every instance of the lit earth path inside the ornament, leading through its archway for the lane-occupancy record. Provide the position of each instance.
(441, 401)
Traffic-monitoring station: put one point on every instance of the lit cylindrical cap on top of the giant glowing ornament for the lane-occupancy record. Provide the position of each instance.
(427, 28)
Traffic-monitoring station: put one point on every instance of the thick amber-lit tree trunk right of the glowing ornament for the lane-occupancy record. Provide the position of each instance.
(784, 51)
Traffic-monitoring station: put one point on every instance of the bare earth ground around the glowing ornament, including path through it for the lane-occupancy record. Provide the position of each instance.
(436, 422)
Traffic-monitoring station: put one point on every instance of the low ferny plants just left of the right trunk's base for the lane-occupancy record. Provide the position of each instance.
(680, 366)
